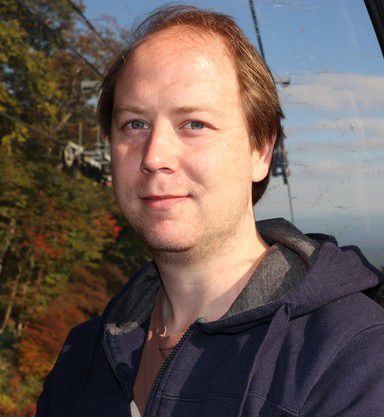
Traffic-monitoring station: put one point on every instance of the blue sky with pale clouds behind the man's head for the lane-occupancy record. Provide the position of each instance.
(334, 108)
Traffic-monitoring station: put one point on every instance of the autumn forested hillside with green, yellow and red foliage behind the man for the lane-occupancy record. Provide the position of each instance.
(64, 247)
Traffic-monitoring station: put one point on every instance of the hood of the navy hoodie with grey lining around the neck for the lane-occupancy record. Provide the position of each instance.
(314, 272)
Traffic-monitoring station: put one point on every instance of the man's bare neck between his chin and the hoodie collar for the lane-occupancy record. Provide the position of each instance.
(208, 287)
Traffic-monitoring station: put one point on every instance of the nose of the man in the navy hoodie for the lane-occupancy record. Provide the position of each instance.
(160, 151)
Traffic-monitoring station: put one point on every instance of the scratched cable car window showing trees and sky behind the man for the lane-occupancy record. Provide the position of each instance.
(62, 238)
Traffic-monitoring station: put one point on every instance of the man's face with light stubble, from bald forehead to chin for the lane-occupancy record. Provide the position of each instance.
(181, 160)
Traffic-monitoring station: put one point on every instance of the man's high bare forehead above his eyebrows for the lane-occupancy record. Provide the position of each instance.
(180, 54)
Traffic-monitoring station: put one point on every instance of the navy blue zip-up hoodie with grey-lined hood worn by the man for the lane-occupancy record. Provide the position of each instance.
(314, 350)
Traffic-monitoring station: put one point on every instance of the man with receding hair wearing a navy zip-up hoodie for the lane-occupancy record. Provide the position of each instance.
(231, 318)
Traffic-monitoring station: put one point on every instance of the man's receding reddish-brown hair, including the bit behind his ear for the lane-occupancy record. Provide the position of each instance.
(259, 99)
